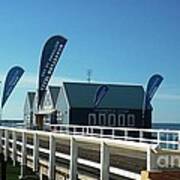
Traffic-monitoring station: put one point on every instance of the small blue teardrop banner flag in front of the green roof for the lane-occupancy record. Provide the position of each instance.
(100, 93)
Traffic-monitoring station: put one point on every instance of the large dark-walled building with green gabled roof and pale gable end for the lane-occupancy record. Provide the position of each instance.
(121, 106)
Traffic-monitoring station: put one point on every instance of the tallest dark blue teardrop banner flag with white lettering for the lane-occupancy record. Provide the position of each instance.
(50, 55)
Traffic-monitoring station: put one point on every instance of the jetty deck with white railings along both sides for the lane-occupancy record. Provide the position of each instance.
(87, 152)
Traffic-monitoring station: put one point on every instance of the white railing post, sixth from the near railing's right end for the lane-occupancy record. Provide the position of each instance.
(24, 155)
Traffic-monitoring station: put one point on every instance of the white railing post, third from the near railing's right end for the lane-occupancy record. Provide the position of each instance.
(73, 160)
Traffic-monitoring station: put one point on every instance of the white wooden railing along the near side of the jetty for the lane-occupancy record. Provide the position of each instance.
(12, 138)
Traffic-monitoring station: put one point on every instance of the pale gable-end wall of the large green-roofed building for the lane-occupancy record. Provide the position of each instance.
(62, 109)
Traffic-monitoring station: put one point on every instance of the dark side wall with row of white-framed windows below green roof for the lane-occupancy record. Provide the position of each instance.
(109, 117)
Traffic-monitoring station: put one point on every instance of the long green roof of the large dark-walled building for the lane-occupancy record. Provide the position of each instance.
(81, 95)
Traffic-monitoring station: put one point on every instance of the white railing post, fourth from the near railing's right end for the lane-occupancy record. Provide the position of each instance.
(52, 146)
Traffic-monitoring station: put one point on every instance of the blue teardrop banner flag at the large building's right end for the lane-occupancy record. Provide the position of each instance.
(153, 85)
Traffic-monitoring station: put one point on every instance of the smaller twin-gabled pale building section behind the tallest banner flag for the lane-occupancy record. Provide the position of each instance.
(47, 107)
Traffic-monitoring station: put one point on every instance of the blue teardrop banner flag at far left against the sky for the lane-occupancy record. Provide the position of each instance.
(12, 79)
